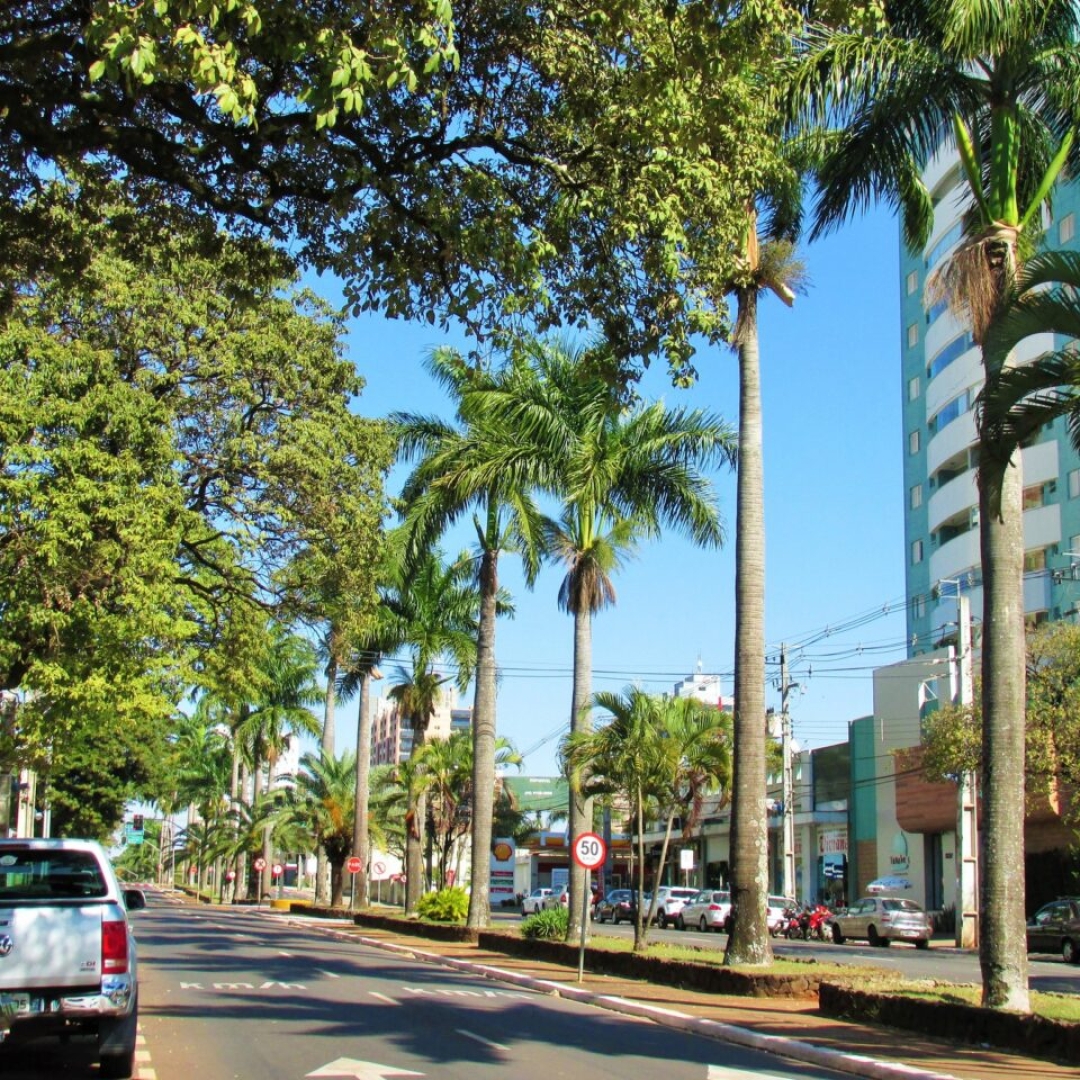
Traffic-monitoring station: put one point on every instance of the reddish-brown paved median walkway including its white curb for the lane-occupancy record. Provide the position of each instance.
(793, 1029)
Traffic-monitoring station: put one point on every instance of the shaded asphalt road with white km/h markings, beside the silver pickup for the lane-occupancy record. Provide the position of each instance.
(228, 994)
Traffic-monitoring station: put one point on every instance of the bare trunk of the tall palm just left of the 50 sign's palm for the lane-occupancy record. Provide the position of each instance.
(484, 736)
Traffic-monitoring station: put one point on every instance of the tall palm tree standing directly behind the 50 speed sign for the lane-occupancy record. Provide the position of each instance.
(622, 475)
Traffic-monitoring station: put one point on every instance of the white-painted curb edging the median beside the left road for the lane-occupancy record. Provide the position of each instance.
(778, 1046)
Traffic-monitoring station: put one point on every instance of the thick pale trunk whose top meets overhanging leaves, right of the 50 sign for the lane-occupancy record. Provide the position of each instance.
(749, 943)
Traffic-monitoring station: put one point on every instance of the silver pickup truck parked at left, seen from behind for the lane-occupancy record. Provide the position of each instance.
(67, 952)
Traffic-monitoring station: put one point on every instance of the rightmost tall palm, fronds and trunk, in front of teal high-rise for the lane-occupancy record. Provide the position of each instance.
(1000, 83)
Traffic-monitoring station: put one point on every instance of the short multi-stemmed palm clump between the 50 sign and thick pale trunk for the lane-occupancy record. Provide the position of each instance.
(664, 755)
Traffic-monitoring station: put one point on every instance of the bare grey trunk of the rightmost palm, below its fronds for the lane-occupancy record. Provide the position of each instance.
(1003, 943)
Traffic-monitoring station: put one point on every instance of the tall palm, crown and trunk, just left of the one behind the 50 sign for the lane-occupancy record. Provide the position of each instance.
(478, 467)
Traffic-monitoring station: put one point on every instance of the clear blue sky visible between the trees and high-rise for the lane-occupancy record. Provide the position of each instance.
(834, 514)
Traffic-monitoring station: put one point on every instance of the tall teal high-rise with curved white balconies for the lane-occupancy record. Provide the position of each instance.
(942, 377)
